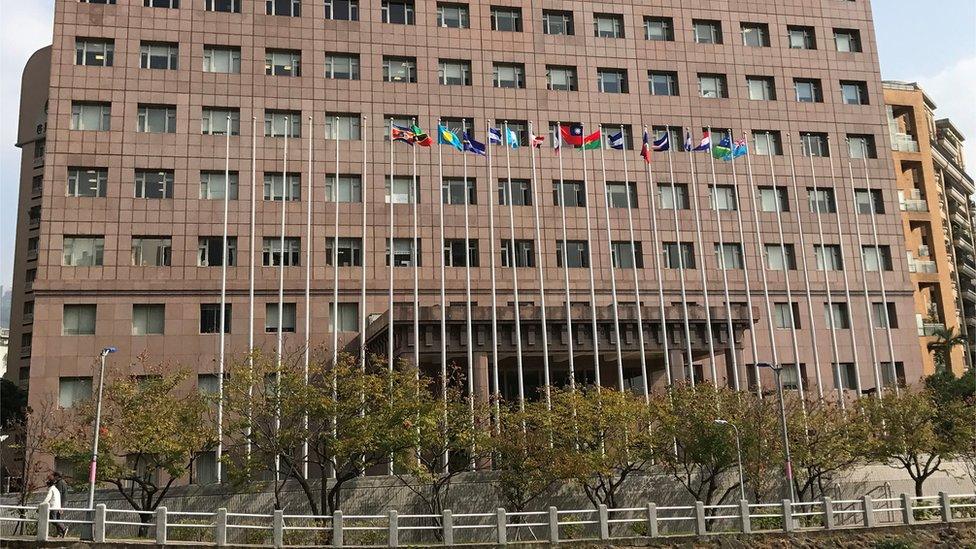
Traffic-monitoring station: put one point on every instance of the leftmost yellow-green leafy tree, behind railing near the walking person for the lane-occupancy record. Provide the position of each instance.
(152, 431)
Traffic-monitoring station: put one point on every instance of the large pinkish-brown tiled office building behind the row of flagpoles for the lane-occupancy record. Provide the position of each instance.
(788, 255)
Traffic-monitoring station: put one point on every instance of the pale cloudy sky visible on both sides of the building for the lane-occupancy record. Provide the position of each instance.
(936, 48)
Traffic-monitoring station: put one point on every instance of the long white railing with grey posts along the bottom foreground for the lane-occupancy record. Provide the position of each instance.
(501, 527)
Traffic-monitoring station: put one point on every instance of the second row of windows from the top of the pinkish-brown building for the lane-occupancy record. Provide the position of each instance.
(458, 72)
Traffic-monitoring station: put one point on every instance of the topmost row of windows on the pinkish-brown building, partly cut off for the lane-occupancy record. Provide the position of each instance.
(554, 22)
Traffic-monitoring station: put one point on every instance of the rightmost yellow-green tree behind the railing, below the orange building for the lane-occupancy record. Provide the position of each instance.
(916, 432)
